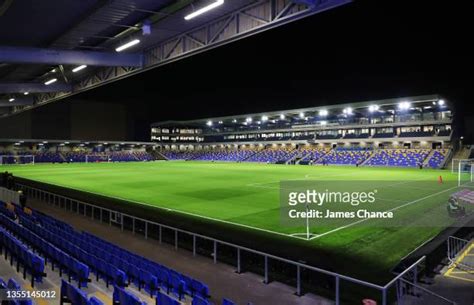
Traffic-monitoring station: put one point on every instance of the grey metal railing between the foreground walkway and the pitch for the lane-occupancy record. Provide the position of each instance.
(144, 226)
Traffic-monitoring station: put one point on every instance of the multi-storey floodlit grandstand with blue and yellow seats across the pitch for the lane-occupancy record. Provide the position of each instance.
(404, 132)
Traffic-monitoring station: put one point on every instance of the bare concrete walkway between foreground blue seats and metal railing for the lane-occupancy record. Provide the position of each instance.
(221, 278)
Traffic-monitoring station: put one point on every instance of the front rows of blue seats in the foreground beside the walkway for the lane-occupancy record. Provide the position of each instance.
(97, 253)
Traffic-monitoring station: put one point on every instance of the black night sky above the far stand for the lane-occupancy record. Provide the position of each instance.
(364, 50)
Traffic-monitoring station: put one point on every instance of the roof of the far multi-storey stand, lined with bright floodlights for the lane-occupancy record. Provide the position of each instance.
(386, 104)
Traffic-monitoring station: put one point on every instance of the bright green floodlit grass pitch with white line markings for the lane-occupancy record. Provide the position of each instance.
(247, 195)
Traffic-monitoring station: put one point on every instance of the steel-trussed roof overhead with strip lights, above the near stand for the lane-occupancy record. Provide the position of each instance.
(60, 48)
